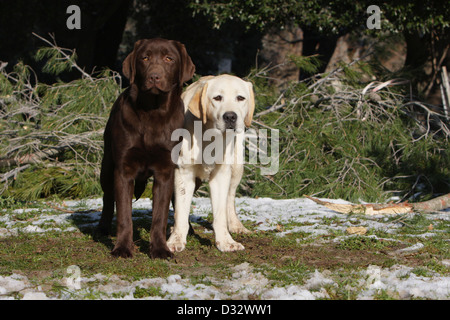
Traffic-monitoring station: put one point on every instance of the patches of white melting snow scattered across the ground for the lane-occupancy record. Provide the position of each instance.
(266, 214)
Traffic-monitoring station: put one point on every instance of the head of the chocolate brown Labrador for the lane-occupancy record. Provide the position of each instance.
(158, 65)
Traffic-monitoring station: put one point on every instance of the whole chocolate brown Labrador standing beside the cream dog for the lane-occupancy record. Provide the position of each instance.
(138, 140)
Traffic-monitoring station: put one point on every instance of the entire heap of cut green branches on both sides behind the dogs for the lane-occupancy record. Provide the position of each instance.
(339, 138)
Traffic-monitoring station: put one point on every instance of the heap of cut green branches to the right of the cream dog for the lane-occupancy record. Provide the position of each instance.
(337, 142)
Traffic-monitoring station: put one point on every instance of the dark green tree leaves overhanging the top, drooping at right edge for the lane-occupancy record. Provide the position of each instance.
(424, 24)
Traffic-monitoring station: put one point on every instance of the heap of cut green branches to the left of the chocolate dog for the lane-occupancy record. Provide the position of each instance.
(51, 135)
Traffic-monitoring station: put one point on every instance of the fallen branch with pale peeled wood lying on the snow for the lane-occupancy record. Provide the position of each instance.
(433, 205)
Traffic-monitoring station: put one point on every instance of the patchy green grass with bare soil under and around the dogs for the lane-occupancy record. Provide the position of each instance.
(284, 260)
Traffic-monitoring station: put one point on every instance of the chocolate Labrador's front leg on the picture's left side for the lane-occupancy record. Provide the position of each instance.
(123, 189)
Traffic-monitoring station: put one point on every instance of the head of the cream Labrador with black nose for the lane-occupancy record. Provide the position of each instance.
(226, 101)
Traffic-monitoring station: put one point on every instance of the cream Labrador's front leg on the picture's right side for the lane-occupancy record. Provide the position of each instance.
(220, 180)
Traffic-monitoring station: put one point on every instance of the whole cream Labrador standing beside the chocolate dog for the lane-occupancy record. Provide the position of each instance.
(220, 104)
